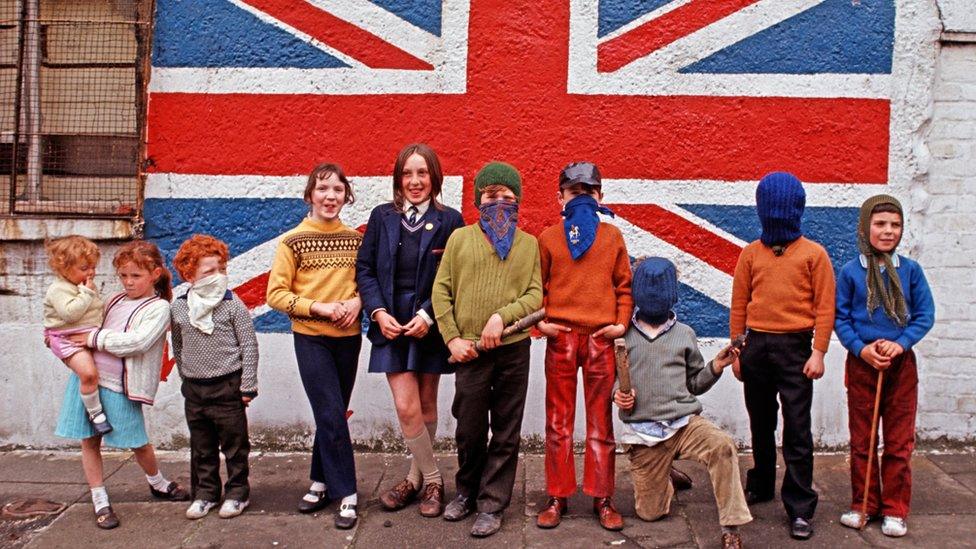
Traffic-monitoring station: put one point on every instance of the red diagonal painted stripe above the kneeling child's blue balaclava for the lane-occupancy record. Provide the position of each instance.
(683, 234)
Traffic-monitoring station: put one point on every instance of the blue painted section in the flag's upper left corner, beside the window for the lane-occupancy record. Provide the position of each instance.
(216, 33)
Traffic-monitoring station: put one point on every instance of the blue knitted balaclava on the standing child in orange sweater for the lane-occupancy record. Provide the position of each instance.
(780, 199)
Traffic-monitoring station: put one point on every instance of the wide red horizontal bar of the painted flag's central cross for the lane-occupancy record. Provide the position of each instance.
(724, 138)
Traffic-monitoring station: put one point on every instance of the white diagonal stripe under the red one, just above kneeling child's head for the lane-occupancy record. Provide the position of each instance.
(691, 270)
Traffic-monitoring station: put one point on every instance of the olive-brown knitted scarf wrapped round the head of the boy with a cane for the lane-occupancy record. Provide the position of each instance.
(890, 296)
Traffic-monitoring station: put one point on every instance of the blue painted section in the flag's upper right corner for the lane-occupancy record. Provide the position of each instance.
(837, 36)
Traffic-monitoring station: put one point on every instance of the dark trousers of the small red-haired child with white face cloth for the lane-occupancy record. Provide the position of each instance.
(218, 423)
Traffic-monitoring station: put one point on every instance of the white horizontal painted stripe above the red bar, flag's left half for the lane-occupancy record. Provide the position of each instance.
(344, 81)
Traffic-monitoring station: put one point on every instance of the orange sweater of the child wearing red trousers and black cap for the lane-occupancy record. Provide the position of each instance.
(594, 290)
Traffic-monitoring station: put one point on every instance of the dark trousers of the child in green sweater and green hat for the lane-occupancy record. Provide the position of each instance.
(490, 393)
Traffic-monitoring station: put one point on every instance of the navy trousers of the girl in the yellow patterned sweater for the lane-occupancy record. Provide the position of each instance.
(327, 366)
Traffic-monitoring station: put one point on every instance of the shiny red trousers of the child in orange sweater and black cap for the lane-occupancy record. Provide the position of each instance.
(565, 353)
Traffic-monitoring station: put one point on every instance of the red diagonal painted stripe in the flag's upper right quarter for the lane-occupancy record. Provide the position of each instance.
(657, 33)
